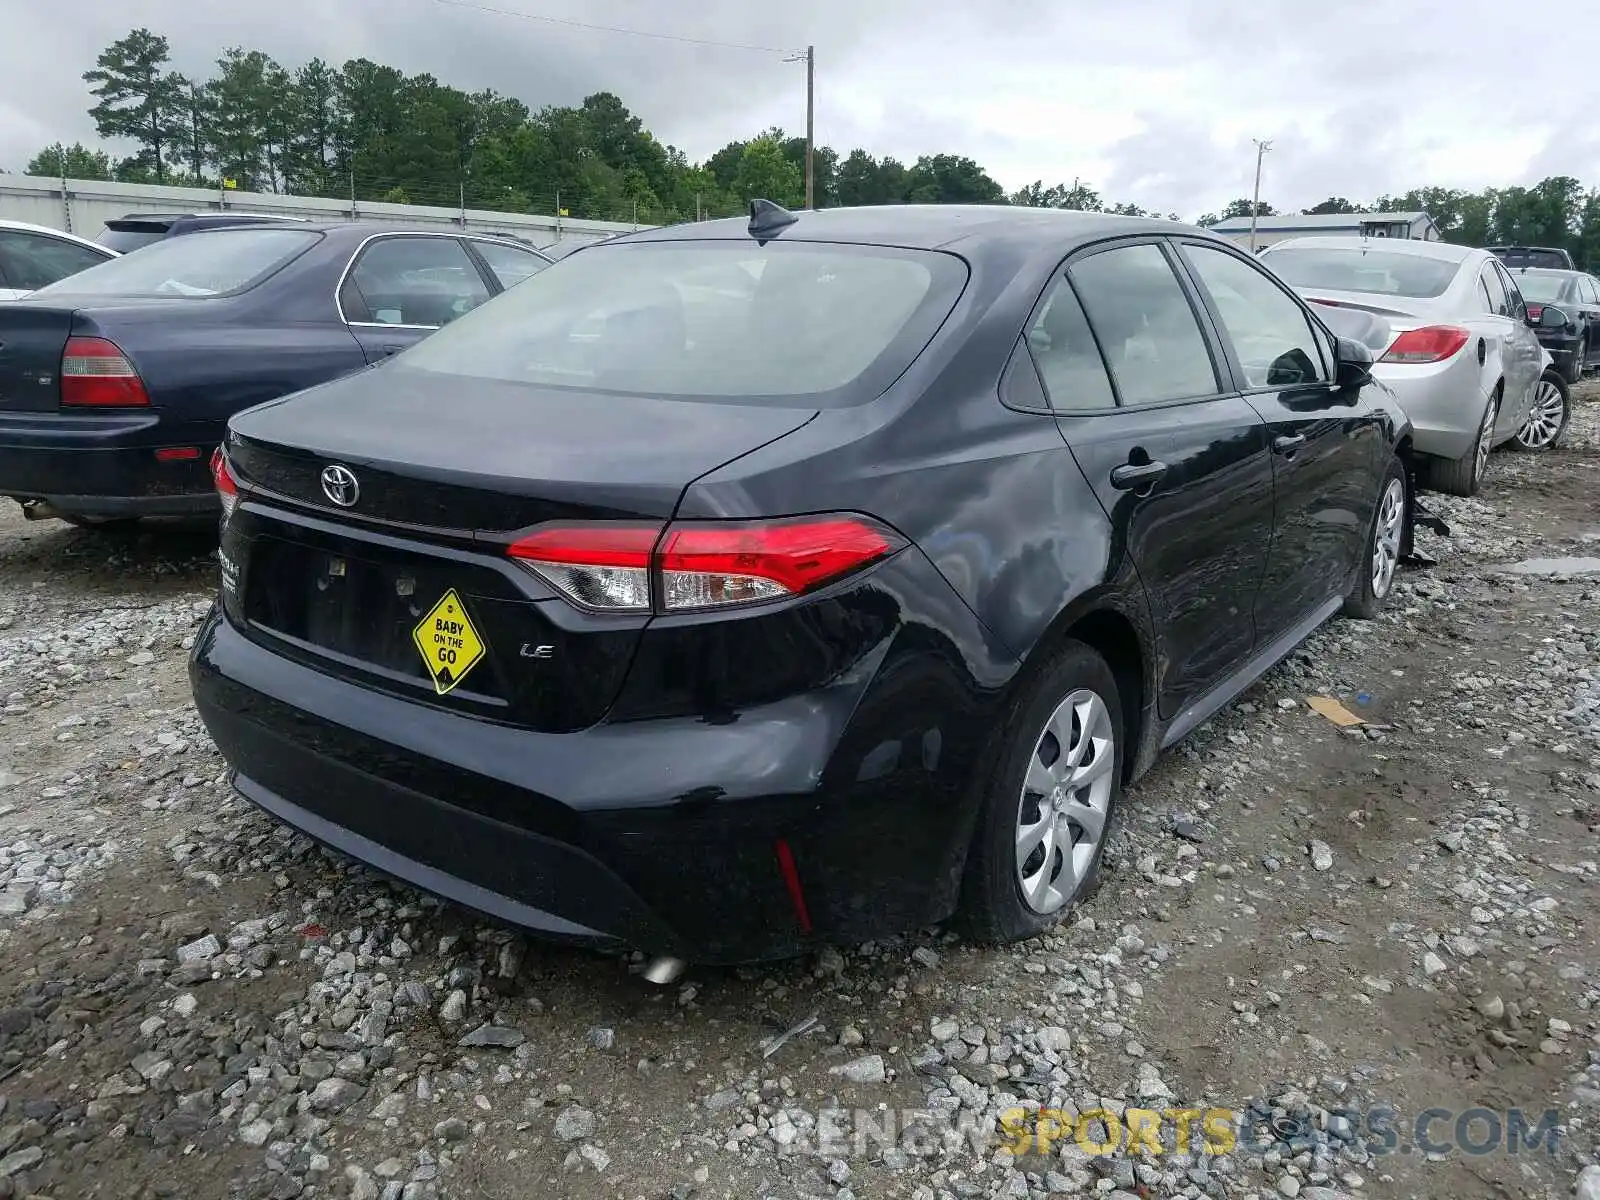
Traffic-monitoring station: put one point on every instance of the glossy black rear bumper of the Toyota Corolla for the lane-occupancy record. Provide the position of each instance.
(654, 834)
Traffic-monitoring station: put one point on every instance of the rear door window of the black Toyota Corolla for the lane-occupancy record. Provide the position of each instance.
(1143, 319)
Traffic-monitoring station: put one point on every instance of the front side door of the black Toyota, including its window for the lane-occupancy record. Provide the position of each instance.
(1327, 446)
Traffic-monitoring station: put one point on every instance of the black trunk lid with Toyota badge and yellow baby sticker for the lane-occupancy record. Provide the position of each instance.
(446, 473)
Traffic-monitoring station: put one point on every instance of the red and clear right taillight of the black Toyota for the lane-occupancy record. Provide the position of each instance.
(700, 566)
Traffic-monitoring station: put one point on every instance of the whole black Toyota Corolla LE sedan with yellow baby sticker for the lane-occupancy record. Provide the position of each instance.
(740, 586)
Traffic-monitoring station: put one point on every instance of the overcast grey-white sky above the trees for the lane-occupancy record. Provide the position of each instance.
(1150, 102)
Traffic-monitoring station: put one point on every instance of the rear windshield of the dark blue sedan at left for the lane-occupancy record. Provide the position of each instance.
(196, 266)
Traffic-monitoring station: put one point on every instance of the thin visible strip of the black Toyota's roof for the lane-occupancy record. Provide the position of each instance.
(924, 226)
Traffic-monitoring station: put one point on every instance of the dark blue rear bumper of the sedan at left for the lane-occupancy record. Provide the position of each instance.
(105, 465)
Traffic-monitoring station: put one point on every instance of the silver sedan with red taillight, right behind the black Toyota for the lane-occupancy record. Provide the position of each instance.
(1450, 335)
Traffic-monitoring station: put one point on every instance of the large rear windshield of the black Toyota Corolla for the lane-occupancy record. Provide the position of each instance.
(834, 324)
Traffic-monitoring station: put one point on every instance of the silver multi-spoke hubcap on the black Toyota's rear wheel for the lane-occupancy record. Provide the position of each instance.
(1066, 799)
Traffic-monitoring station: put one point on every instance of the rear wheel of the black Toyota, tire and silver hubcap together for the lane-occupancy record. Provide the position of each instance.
(1015, 889)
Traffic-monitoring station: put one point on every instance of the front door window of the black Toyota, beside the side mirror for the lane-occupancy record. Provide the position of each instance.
(1274, 340)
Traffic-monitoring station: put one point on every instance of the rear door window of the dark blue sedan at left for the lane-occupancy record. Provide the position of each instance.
(412, 281)
